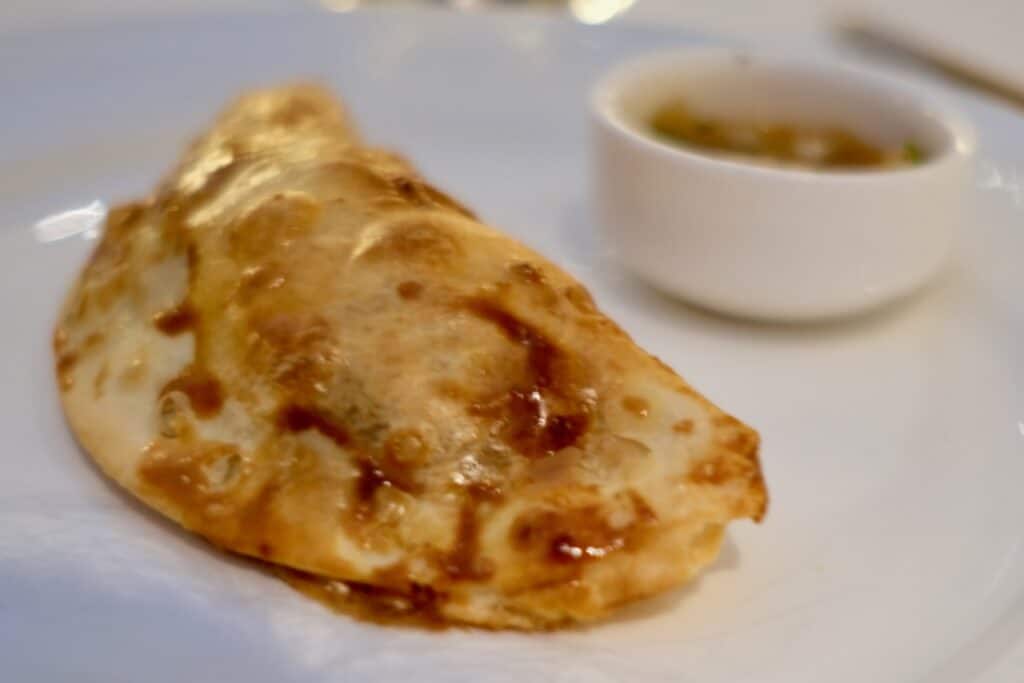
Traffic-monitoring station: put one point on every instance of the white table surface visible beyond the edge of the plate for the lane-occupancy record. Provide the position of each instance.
(989, 31)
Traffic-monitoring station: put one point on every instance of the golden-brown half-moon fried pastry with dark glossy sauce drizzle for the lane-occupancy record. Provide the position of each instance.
(302, 352)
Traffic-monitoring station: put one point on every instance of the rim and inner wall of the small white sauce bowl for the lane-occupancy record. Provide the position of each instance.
(629, 96)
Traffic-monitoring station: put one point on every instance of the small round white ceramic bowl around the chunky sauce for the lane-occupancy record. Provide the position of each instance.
(757, 240)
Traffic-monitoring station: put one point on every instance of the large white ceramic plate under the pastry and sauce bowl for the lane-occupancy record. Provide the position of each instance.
(894, 445)
